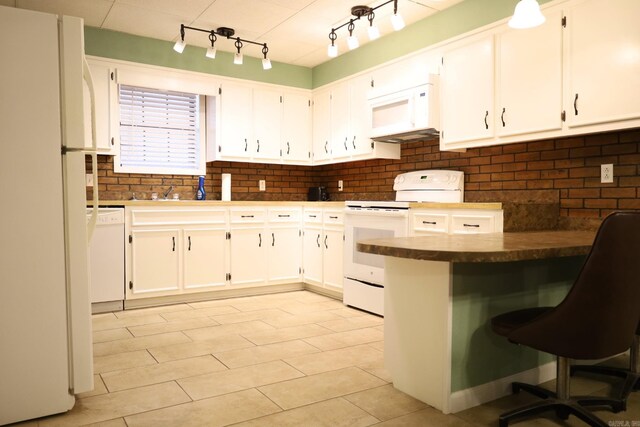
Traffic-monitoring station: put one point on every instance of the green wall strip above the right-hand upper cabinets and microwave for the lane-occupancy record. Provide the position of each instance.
(458, 19)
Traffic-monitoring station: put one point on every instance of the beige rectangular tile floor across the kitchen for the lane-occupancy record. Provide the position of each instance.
(290, 359)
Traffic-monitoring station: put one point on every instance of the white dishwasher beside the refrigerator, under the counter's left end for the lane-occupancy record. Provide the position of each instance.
(106, 261)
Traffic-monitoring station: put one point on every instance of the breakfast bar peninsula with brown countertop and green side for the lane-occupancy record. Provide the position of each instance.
(441, 291)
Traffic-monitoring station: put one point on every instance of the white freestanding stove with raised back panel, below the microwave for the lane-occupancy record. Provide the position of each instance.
(363, 285)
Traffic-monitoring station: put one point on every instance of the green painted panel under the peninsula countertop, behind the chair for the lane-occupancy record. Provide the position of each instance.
(484, 290)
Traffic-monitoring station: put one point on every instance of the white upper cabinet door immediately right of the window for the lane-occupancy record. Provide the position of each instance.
(236, 121)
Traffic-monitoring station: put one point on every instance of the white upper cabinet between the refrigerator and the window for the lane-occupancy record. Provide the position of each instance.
(106, 108)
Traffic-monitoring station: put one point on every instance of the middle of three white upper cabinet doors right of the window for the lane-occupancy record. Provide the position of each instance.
(267, 124)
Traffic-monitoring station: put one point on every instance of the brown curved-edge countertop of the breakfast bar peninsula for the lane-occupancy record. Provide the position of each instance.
(493, 247)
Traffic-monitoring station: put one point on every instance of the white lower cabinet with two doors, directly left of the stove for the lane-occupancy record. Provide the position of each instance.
(323, 248)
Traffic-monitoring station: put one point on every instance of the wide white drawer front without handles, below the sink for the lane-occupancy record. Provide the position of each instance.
(141, 217)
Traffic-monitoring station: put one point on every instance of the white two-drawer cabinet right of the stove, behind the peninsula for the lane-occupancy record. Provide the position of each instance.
(455, 221)
